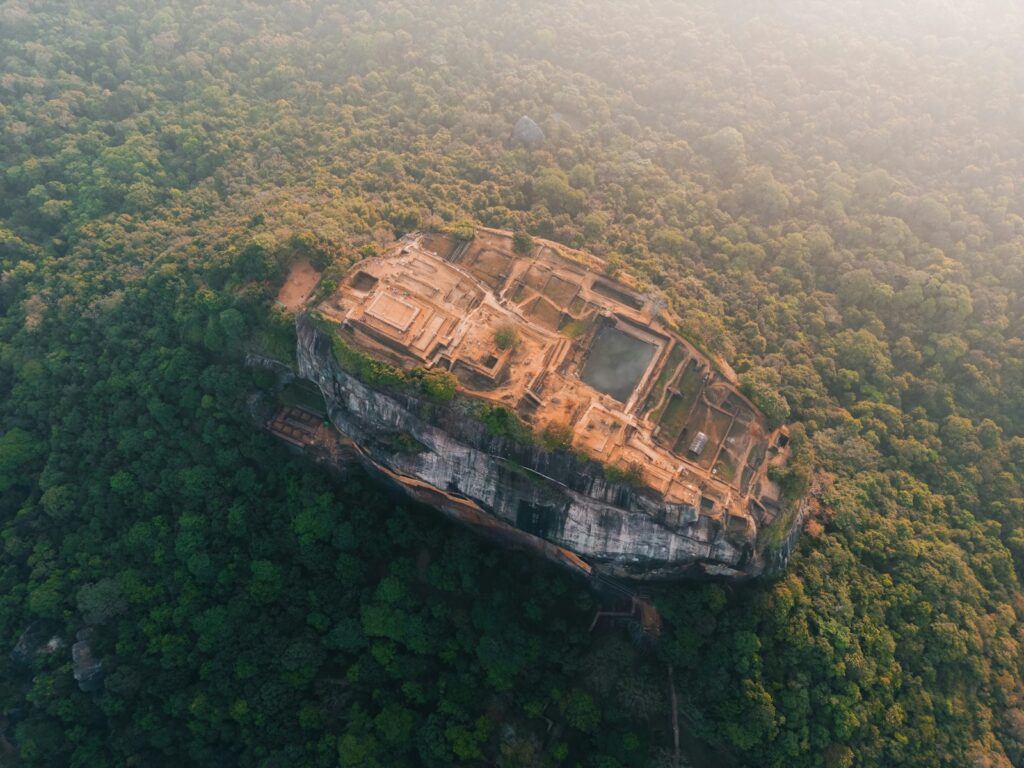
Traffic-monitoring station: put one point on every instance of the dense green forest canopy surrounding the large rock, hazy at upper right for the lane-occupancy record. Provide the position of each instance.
(829, 196)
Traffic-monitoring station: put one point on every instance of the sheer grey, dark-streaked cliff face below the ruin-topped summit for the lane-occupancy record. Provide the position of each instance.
(548, 501)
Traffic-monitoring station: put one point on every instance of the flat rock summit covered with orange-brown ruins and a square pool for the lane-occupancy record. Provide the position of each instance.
(589, 354)
